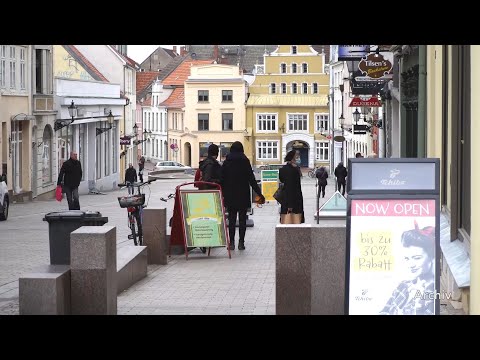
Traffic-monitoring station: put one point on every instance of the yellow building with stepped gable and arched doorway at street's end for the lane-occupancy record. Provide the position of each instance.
(287, 108)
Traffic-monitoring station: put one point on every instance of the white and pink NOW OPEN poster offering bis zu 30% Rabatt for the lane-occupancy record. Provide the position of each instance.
(392, 257)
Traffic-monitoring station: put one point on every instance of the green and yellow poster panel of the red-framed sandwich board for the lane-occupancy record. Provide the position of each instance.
(203, 218)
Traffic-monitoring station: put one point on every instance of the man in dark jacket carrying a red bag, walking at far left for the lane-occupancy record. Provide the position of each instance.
(71, 175)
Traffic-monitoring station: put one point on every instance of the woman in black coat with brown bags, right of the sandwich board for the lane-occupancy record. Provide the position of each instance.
(290, 177)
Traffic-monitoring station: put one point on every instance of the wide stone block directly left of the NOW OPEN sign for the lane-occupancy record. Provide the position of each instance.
(310, 269)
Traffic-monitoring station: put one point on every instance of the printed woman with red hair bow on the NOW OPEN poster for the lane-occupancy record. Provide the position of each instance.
(416, 293)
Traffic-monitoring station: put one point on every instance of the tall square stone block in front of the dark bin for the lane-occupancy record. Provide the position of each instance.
(93, 253)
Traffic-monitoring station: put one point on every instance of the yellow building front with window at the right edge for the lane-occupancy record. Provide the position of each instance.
(453, 73)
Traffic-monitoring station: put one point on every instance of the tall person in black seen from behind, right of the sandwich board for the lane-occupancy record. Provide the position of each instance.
(237, 178)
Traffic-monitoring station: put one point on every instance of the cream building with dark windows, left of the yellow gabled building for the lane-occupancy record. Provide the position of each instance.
(214, 112)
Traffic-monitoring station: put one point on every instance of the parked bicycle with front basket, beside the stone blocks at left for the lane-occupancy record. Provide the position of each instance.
(135, 205)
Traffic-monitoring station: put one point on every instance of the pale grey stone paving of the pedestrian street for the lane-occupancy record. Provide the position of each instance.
(244, 284)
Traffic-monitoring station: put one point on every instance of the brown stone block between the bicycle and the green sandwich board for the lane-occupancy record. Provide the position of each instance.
(155, 235)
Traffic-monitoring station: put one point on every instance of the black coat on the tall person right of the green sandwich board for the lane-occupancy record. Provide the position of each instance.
(237, 177)
